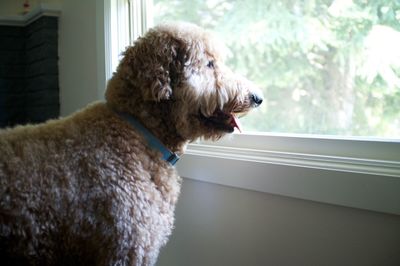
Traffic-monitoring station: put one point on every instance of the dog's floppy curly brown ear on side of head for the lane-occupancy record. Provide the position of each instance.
(156, 64)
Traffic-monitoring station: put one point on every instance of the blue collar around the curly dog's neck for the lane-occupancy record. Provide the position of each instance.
(152, 141)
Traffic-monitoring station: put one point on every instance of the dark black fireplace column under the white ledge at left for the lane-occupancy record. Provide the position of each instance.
(29, 87)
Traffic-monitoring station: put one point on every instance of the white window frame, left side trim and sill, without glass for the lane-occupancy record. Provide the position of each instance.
(355, 172)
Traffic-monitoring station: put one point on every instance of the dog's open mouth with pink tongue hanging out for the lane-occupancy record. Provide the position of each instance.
(223, 121)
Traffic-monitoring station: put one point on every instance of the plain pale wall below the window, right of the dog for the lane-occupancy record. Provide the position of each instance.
(223, 226)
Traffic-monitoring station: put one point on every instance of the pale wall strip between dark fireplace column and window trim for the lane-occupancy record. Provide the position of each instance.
(81, 49)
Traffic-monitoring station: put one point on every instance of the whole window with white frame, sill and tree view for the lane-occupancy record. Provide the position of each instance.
(301, 53)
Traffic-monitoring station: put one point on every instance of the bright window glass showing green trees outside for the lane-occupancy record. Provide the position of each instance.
(326, 67)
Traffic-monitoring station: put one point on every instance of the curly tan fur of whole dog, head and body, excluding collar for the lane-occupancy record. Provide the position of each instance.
(87, 189)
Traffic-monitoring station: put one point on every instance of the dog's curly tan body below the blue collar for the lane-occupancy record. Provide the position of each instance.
(73, 190)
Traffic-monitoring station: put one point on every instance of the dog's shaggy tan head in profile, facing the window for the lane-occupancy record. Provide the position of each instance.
(179, 68)
